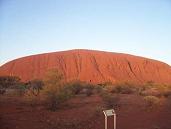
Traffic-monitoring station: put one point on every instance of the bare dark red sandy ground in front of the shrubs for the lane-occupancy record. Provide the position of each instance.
(83, 113)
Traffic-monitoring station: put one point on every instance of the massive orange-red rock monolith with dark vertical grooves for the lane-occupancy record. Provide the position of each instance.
(91, 66)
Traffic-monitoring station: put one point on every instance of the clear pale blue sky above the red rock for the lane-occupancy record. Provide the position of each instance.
(138, 27)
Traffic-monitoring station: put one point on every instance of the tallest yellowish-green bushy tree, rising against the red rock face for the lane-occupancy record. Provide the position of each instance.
(54, 89)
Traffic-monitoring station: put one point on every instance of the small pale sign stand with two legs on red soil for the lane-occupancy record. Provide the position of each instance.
(107, 113)
